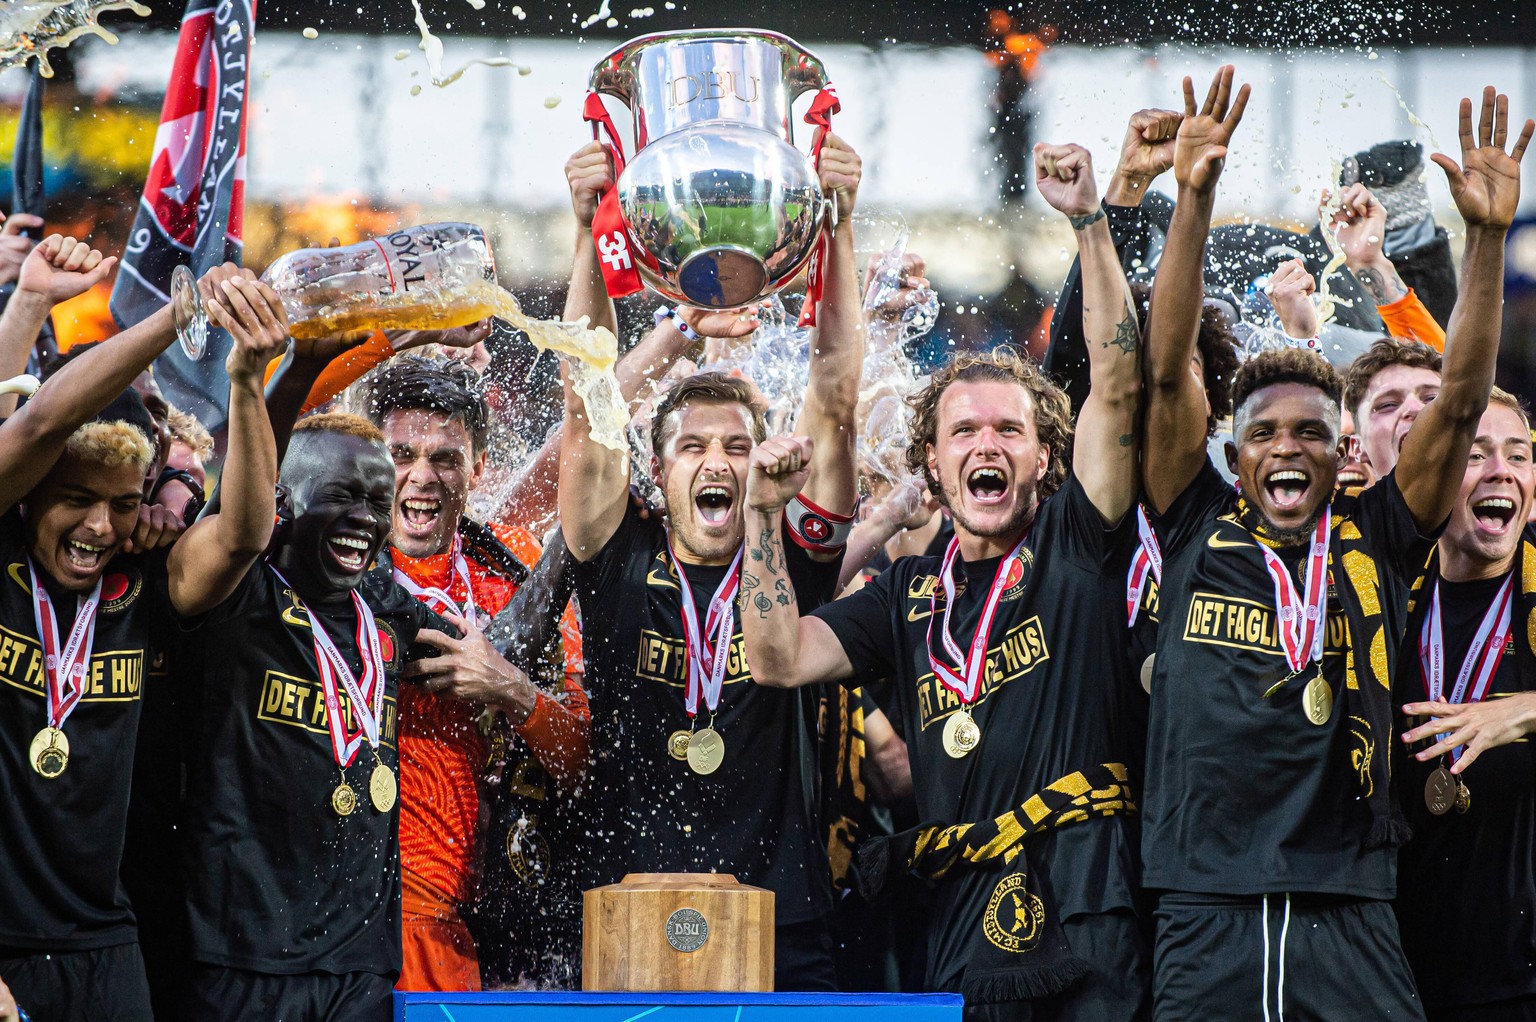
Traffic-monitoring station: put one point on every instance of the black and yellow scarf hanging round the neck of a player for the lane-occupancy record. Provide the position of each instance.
(1366, 697)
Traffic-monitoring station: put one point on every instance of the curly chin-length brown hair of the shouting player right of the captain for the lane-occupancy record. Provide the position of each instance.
(1004, 365)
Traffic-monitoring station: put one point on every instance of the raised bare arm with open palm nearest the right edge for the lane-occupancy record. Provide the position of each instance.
(1488, 191)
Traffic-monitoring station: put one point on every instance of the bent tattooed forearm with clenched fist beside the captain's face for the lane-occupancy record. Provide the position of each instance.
(784, 649)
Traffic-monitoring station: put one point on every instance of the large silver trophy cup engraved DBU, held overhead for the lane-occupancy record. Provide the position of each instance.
(717, 193)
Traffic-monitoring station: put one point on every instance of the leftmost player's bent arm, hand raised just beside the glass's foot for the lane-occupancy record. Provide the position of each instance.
(208, 563)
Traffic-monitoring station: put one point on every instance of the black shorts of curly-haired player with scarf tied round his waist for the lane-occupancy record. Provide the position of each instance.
(1119, 989)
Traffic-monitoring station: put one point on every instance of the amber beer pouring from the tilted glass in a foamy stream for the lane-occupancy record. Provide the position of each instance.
(591, 353)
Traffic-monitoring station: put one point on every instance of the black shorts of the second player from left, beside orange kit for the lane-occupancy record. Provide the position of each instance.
(234, 995)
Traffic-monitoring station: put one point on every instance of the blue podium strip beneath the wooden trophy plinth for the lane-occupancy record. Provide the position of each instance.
(713, 1007)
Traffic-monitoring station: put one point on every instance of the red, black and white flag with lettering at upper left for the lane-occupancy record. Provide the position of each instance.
(196, 191)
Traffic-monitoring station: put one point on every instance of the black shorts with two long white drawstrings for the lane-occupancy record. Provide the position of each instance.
(1296, 957)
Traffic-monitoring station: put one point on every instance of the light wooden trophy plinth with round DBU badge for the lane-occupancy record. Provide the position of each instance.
(678, 932)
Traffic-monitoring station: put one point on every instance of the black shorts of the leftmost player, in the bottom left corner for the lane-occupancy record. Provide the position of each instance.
(102, 986)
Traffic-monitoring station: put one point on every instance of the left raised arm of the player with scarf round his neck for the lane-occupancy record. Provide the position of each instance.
(1176, 423)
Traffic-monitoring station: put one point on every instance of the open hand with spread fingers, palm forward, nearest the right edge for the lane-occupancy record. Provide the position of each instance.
(1488, 184)
